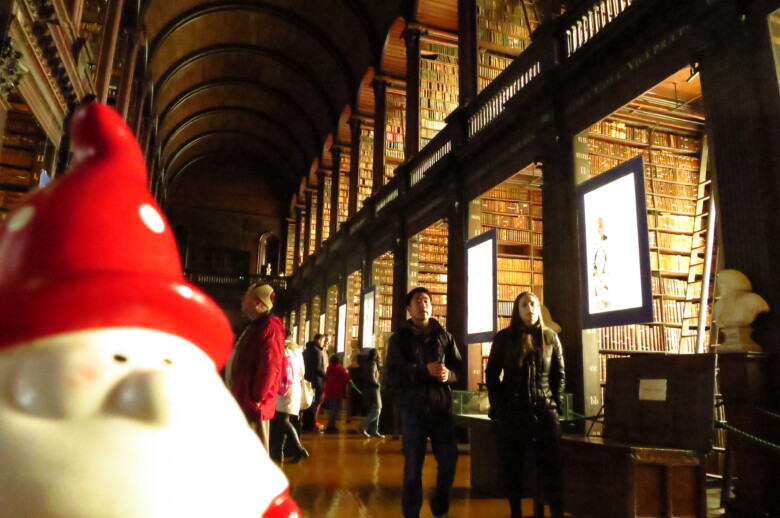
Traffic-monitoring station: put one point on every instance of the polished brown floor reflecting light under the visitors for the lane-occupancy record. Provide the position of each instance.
(348, 476)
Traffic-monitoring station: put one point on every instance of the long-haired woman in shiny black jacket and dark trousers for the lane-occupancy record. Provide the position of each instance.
(526, 400)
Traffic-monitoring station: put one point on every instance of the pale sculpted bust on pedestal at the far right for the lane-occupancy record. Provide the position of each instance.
(735, 309)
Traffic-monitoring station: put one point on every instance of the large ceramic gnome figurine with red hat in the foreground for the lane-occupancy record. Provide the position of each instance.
(110, 401)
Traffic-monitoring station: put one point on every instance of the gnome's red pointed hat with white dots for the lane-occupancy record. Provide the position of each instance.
(92, 250)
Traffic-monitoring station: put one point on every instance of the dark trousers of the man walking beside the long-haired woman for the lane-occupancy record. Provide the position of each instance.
(416, 430)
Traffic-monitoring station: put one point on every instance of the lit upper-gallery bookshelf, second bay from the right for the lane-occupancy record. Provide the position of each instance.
(438, 86)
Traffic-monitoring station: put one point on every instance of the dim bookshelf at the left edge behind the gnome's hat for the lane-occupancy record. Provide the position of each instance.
(21, 157)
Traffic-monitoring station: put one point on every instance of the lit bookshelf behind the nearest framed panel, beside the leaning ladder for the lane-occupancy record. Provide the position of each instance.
(676, 187)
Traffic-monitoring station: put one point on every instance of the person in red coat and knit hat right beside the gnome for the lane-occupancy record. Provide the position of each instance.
(255, 366)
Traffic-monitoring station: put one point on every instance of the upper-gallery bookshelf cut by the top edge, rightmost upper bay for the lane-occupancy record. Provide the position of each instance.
(502, 34)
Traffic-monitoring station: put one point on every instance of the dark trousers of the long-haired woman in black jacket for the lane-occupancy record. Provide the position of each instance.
(548, 466)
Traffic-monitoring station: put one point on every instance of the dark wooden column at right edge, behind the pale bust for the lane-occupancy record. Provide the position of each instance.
(742, 109)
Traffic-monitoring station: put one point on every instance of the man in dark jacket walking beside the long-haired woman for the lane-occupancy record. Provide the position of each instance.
(422, 363)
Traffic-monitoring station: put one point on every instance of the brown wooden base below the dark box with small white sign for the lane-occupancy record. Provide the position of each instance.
(608, 479)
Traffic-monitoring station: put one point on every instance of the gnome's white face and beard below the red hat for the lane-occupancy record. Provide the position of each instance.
(125, 423)
